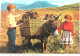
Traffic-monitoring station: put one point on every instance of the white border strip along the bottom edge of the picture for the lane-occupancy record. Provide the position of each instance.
(39, 55)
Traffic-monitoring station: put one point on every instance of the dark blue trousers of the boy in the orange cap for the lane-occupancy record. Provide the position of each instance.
(11, 40)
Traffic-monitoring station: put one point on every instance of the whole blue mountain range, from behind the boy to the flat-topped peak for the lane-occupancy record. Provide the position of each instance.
(37, 4)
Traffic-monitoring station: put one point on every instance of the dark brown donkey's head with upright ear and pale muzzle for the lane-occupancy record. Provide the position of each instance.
(53, 23)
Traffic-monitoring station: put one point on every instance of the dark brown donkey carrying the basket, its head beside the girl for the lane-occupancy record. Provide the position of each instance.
(46, 30)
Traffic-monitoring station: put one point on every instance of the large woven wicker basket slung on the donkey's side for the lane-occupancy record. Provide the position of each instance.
(31, 27)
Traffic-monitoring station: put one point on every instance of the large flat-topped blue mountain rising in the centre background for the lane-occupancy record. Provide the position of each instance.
(38, 4)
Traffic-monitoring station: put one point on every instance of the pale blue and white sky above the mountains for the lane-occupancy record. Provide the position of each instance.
(55, 2)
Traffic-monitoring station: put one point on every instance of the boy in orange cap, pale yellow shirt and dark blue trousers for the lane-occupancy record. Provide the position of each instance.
(11, 25)
